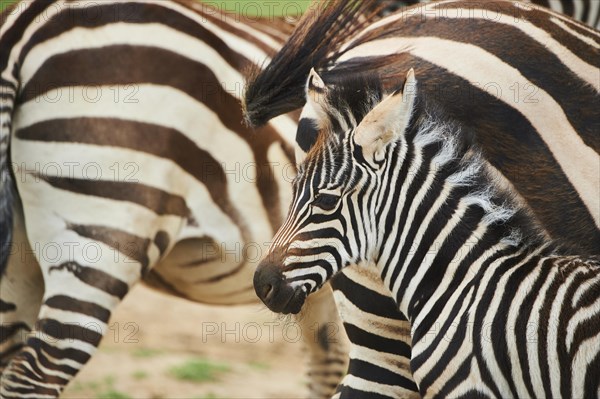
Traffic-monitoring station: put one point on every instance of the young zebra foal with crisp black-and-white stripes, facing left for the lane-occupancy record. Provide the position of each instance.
(497, 309)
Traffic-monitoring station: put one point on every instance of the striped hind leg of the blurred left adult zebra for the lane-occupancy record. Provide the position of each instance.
(87, 270)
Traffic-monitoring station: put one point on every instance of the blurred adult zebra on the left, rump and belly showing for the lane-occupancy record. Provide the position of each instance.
(127, 145)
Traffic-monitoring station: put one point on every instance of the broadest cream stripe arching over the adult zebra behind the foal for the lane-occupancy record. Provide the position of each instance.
(579, 163)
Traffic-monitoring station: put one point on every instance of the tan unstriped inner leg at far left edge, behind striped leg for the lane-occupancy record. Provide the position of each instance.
(21, 290)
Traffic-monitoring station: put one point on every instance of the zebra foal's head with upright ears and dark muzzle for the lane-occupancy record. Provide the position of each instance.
(332, 220)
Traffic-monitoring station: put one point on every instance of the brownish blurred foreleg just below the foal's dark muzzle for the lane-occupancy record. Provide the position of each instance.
(327, 343)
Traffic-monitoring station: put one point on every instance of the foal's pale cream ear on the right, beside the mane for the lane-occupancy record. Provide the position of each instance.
(388, 120)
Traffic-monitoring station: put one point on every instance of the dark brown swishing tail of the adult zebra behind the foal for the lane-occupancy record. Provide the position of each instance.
(315, 42)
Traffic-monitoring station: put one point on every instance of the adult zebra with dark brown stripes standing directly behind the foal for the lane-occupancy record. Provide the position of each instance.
(513, 140)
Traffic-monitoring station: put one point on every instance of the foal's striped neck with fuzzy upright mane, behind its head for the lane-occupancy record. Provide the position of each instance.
(447, 217)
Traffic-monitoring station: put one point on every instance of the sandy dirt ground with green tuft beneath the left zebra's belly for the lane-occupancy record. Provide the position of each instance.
(164, 347)
